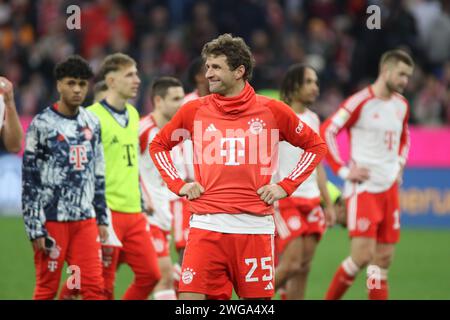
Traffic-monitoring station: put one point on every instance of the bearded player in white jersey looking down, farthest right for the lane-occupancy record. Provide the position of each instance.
(377, 120)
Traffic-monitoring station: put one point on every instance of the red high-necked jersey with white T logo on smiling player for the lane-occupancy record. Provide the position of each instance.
(235, 150)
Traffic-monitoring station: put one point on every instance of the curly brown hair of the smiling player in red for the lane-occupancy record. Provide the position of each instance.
(236, 51)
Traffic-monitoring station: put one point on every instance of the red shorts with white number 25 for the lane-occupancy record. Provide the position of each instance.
(215, 262)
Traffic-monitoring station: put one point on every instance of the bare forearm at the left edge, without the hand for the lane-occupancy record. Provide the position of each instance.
(12, 132)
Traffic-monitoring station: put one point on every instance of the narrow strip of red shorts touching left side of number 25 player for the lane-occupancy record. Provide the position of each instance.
(181, 217)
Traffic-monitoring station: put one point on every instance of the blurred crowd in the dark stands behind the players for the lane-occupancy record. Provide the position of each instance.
(164, 36)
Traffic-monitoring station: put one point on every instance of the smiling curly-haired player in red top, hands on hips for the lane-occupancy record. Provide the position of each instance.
(235, 134)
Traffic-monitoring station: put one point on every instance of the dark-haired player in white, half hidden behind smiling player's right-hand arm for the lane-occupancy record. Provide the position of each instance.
(299, 219)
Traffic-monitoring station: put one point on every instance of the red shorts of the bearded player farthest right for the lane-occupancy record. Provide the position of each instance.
(375, 215)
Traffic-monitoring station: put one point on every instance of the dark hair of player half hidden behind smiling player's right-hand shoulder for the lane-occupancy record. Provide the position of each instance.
(292, 81)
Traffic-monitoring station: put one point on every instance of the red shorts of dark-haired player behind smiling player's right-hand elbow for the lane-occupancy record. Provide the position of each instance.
(295, 217)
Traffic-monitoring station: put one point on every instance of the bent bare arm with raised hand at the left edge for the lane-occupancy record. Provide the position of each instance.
(11, 131)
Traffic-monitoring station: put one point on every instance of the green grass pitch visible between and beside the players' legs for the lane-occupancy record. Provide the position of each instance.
(420, 269)
